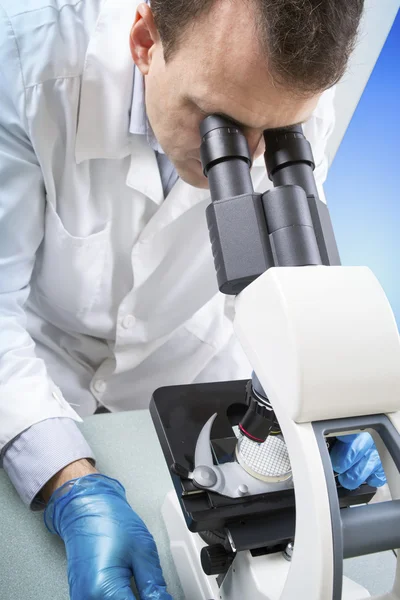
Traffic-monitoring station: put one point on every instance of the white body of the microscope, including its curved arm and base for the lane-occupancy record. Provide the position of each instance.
(325, 346)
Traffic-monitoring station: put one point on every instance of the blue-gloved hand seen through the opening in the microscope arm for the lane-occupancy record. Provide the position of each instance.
(357, 461)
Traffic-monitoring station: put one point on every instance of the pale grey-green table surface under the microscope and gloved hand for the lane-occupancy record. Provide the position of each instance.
(32, 561)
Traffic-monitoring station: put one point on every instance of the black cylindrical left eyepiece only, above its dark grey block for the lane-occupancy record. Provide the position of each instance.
(225, 158)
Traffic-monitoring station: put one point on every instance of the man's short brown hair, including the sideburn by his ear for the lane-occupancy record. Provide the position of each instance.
(307, 42)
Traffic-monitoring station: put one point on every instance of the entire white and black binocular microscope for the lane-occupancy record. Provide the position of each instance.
(257, 512)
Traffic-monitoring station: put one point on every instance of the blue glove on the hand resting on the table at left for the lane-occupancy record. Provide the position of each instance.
(105, 540)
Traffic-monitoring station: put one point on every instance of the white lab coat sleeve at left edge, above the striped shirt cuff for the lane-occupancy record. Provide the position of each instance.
(27, 394)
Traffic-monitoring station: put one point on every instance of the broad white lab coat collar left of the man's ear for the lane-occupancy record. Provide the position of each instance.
(106, 90)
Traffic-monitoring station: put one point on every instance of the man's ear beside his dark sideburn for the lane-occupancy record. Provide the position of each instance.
(144, 34)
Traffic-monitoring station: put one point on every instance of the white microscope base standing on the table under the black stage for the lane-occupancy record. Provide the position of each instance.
(255, 577)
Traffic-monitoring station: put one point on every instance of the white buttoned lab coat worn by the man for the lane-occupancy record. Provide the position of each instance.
(115, 285)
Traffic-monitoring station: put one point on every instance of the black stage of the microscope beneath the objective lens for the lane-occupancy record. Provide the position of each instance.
(179, 413)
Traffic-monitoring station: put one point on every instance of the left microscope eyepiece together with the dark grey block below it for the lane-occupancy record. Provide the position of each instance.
(235, 217)
